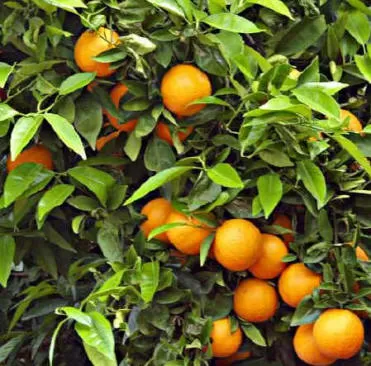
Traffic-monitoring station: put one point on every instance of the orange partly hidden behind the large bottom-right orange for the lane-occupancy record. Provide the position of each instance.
(306, 347)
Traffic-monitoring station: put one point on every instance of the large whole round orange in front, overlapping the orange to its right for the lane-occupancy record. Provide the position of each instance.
(237, 244)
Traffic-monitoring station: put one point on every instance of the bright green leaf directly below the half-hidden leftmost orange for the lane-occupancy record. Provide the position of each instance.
(19, 180)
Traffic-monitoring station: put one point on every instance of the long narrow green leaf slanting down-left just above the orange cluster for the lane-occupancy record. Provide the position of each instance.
(157, 181)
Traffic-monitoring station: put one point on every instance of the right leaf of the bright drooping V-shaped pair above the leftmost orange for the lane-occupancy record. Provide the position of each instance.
(66, 133)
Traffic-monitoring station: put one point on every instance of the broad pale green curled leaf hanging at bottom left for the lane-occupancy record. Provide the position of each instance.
(98, 335)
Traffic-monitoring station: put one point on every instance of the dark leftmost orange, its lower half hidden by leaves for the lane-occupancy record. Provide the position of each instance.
(38, 154)
